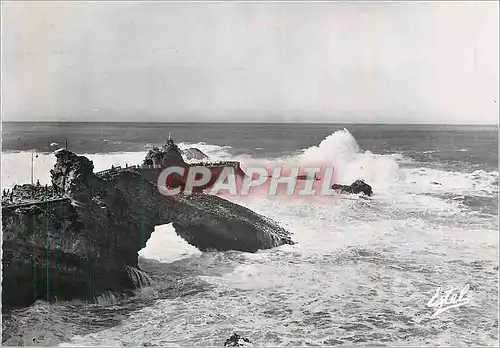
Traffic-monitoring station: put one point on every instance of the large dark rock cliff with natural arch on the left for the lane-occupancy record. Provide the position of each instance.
(81, 246)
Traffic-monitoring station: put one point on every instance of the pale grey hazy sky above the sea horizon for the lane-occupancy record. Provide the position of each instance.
(367, 62)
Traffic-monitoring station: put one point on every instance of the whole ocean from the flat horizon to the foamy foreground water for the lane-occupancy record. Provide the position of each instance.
(362, 271)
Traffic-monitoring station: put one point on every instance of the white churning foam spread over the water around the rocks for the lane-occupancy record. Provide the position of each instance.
(361, 272)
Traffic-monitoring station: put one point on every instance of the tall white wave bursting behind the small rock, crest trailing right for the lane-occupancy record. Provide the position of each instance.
(341, 150)
